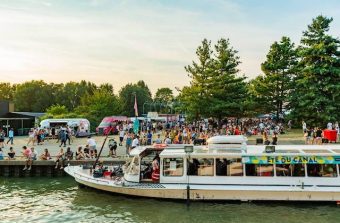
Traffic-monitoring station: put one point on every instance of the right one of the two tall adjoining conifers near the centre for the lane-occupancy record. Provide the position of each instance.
(228, 90)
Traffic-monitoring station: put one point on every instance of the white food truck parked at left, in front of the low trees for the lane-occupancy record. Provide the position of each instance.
(80, 126)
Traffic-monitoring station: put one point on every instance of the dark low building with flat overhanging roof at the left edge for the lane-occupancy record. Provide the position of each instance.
(21, 122)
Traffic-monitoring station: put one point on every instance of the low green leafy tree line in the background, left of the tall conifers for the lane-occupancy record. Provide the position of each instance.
(83, 99)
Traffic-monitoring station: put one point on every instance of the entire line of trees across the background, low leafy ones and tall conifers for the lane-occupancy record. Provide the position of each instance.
(302, 79)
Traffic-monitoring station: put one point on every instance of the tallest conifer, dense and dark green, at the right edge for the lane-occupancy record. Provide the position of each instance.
(316, 96)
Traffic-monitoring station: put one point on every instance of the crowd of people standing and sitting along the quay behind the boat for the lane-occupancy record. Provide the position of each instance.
(153, 133)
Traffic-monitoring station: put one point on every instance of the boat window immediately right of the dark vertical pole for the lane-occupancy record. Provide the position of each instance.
(201, 167)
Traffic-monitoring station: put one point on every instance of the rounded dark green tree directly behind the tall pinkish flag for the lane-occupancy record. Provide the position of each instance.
(127, 97)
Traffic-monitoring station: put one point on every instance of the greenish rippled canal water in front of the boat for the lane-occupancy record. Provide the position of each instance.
(61, 200)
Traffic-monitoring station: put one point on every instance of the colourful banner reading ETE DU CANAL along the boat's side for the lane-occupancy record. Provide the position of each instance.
(291, 159)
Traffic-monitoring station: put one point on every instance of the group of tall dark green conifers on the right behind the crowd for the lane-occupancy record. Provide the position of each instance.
(300, 80)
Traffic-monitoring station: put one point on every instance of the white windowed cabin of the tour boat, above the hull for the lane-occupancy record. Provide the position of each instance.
(228, 160)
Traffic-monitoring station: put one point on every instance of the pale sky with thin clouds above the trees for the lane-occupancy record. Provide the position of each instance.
(123, 41)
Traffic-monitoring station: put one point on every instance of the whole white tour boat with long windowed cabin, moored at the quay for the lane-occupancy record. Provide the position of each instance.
(226, 169)
